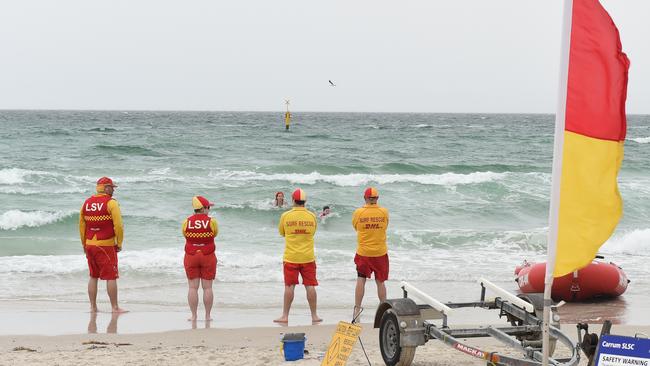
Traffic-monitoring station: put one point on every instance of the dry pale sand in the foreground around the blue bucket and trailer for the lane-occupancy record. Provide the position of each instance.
(245, 346)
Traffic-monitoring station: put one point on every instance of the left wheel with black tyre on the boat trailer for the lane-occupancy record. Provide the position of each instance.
(389, 342)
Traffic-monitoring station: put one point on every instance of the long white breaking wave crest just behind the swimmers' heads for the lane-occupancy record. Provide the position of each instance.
(354, 180)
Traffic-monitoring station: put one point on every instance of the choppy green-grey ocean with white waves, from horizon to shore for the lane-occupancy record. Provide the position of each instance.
(468, 197)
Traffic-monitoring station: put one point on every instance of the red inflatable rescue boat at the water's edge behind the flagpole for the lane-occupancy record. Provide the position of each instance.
(597, 280)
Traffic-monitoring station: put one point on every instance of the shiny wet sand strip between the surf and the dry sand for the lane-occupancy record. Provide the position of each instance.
(60, 318)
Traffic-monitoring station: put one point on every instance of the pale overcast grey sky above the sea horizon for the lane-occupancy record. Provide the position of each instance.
(475, 56)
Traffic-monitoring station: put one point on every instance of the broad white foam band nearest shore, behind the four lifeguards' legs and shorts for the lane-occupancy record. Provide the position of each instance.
(261, 265)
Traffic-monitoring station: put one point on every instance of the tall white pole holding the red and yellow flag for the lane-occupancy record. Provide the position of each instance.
(558, 147)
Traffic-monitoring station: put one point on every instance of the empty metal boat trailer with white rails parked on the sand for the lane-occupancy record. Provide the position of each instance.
(404, 325)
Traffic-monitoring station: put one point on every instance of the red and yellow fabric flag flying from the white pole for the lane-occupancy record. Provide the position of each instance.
(590, 205)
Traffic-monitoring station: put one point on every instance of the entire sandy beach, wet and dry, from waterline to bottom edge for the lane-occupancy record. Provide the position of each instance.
(65, 333)
